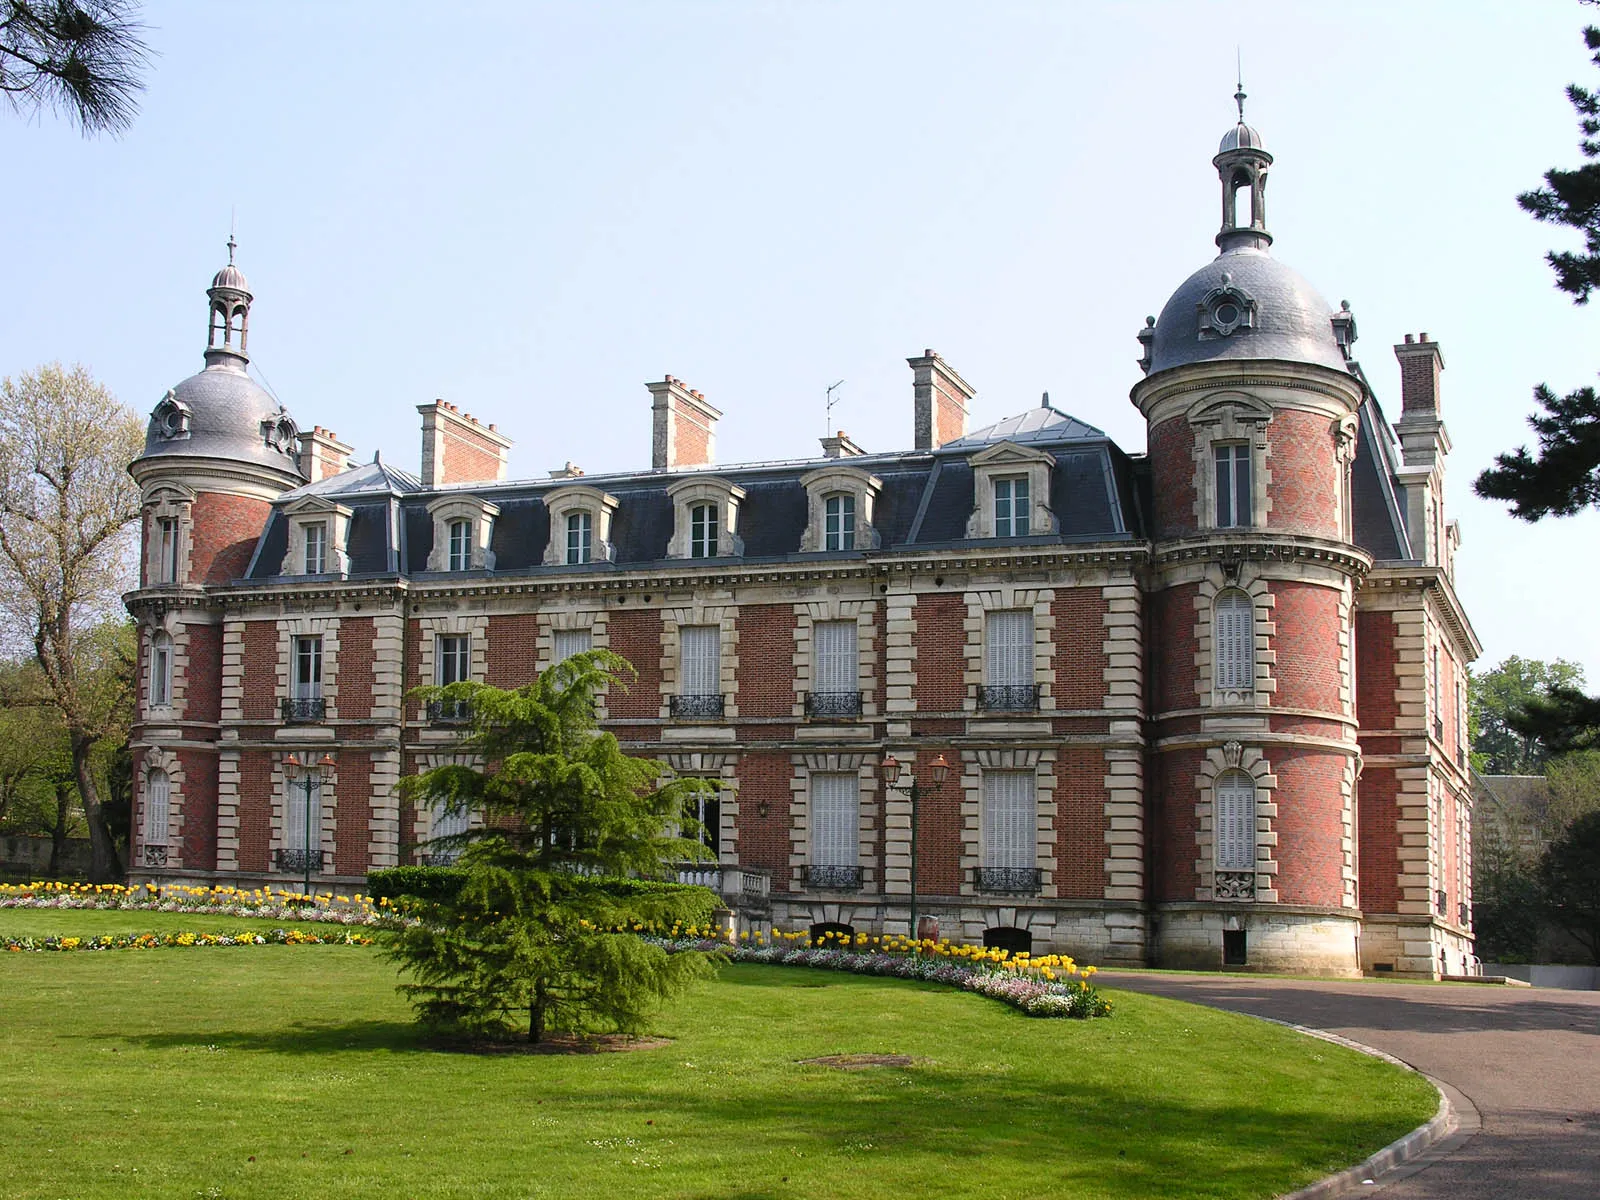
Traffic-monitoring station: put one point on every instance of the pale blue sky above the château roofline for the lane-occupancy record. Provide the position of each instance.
(530, 210)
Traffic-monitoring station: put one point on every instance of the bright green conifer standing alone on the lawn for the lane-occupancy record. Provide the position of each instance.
(529, 942)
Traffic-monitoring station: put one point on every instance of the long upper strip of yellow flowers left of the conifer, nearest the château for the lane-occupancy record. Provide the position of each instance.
(222, 902)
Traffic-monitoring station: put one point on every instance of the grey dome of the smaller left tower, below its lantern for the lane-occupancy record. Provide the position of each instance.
(223, 414)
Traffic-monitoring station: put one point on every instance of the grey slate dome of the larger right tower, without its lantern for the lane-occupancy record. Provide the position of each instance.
(1276, 314)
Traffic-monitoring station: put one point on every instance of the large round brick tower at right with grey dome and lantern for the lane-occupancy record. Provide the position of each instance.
(1252, 417)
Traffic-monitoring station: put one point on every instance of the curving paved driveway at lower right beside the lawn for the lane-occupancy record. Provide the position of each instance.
(1529, 1058)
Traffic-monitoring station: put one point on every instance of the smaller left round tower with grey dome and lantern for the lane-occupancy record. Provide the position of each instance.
(217, 454)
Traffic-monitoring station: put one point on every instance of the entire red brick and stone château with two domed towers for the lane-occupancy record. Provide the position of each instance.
(1201, 706)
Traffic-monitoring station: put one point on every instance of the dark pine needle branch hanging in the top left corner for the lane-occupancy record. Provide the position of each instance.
(76, 57)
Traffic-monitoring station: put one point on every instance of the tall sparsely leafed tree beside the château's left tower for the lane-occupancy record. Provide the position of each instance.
(68, 513)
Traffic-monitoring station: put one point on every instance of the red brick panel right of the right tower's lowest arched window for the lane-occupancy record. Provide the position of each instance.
(1310, 826)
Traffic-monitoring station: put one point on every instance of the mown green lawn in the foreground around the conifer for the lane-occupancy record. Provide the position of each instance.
(284, 1073)
